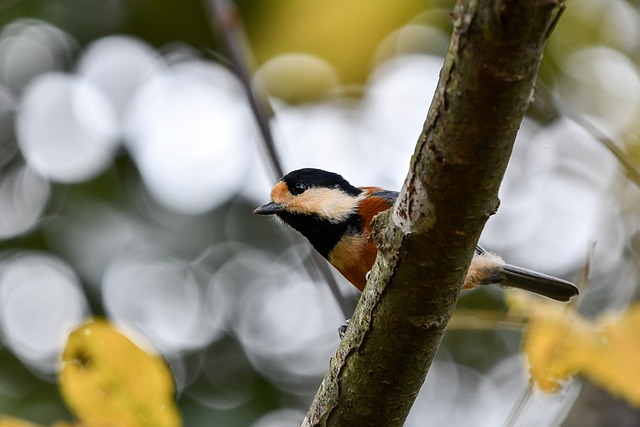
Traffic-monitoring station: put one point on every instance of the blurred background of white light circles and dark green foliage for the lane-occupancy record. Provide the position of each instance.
(130, 164)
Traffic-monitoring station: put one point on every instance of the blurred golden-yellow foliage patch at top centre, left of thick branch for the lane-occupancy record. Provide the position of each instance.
(357, 27)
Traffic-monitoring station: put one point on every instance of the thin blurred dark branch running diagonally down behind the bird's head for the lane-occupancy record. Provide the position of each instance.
(225, 18)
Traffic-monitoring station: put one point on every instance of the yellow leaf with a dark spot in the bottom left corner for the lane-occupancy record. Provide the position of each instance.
(106, 380)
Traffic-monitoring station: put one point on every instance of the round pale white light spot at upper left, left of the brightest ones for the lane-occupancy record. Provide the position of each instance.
(66, 128)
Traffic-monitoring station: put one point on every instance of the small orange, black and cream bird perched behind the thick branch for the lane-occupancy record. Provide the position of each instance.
(336, 218)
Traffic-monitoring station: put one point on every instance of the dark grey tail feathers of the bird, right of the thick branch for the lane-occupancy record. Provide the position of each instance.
(541, 284)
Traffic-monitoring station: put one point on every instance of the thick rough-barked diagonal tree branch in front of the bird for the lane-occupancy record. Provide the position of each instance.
(426, 242)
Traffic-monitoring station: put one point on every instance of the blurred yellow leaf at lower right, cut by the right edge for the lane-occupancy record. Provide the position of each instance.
(560, 343)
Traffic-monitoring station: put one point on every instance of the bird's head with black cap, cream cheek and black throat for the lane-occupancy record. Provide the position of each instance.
(321, 205)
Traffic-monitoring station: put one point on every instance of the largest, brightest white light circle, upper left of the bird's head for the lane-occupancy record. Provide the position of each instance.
(190, 133)
